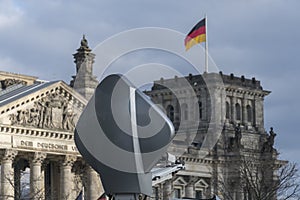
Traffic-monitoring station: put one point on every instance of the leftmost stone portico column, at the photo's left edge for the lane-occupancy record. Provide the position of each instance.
(7, 174)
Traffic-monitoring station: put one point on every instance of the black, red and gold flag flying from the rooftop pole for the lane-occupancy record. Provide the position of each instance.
(196, 35)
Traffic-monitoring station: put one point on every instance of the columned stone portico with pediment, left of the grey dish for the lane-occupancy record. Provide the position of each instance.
(36, 133)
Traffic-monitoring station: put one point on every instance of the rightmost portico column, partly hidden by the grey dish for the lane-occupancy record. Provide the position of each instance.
(94, 187)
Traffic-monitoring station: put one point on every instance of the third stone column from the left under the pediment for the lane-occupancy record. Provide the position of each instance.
(66, 177)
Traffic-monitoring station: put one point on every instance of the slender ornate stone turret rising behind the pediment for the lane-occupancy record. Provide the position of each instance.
(84, 82)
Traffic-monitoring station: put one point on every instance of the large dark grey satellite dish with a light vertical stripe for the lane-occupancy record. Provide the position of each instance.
(122, 134)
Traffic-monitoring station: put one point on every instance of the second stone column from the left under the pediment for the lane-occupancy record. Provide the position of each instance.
(36, 177)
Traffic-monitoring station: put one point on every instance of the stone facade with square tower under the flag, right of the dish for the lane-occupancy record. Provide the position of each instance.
(228, 104)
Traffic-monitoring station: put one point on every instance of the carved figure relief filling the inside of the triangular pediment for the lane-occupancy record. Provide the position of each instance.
(52, 111)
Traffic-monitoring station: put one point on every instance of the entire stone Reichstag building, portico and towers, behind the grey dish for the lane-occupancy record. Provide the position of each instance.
(38, 118)
